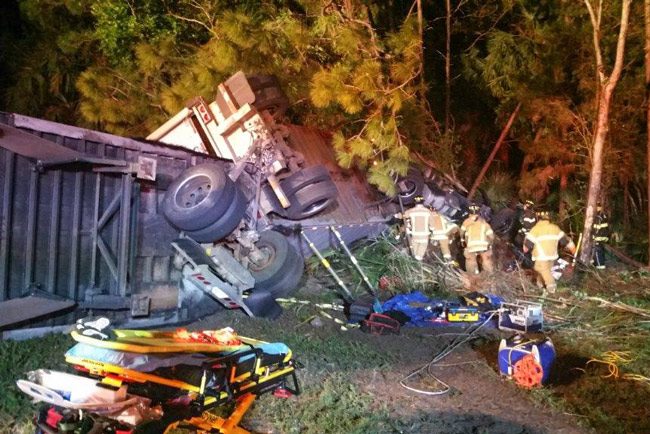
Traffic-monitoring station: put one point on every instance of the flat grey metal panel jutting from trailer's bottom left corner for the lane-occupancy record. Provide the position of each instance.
(23, 309)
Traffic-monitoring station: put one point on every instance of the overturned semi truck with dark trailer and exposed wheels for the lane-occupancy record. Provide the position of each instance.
(91, 221)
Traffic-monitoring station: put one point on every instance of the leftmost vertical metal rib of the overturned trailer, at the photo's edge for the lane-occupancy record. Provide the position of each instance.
(5, 225)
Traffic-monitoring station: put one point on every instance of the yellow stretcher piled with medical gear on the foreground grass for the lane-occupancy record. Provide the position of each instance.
(183, 375)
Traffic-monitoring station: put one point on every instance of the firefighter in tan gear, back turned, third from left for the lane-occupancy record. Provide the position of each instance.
(477, 236)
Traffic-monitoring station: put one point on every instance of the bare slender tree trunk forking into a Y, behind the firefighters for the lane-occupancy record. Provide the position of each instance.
(606, 86)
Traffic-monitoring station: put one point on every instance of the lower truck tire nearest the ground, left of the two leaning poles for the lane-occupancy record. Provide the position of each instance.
(282, 272)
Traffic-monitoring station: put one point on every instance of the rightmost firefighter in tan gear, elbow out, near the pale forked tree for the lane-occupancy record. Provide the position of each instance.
(544, 239)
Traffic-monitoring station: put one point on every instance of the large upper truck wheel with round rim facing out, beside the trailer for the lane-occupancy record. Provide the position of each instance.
(198, 197)
